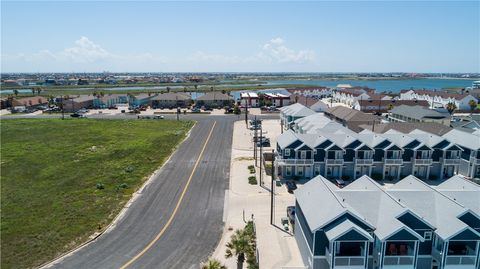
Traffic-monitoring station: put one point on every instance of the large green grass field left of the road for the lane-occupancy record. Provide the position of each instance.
(52, 173)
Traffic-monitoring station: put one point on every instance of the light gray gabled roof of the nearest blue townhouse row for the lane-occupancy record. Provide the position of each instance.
(380, 207)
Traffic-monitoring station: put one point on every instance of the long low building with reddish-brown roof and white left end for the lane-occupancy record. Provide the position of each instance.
(383, 106)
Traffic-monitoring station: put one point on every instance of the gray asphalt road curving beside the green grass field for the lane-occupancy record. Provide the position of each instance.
(197, 226)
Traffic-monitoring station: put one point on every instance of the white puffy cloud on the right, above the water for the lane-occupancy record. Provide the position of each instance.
(276, 49)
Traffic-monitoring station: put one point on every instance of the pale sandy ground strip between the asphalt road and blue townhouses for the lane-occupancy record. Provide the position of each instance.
(277, 248)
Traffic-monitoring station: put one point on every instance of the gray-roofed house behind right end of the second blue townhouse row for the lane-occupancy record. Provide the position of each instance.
(417, 113)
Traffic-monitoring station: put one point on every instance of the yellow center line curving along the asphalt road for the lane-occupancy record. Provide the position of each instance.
(176, 206)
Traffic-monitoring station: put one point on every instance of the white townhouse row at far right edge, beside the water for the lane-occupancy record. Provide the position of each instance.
(439, 98)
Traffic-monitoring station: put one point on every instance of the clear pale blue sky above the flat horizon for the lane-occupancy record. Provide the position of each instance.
(346, 36)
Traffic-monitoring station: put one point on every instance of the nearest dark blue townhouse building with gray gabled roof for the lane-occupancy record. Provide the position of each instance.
(409, 225)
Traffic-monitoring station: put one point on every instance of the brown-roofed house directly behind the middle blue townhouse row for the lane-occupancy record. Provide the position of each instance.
(351, 118)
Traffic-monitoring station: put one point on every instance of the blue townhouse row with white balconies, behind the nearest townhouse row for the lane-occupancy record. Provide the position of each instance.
(314, 146)
